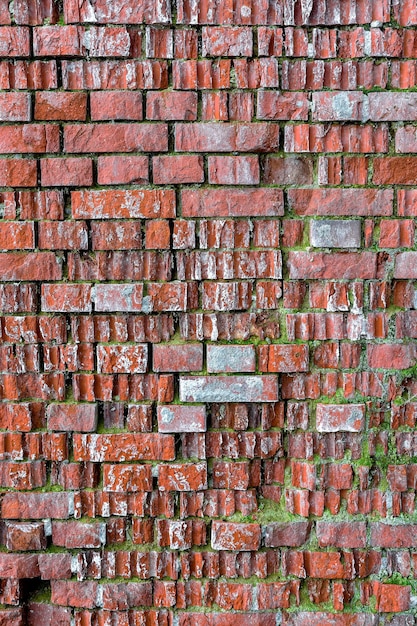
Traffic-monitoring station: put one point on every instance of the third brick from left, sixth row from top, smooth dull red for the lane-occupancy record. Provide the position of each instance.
(119, 170)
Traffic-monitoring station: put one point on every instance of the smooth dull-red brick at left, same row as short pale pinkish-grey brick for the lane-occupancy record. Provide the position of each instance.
(72, 417)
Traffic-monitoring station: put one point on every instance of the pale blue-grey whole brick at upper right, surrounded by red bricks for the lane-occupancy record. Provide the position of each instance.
(335, 233)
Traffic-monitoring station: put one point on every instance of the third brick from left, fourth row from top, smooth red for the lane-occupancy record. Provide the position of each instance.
(117, 105)
